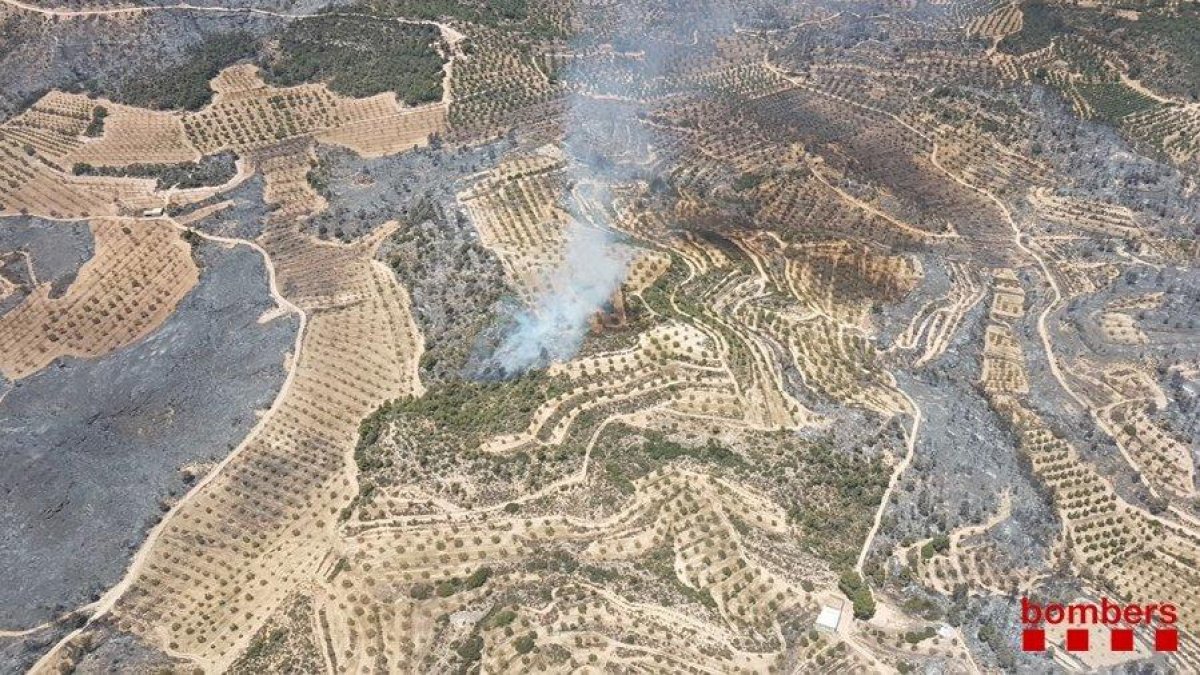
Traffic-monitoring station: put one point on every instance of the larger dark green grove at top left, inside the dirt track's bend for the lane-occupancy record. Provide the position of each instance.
(373, 56)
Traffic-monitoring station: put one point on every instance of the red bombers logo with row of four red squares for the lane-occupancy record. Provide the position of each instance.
(1121, 620)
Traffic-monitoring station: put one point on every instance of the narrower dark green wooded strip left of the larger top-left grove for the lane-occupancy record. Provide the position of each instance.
(187, 86)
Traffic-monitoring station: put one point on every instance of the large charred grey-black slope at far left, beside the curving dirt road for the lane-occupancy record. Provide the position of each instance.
(167, 402)
